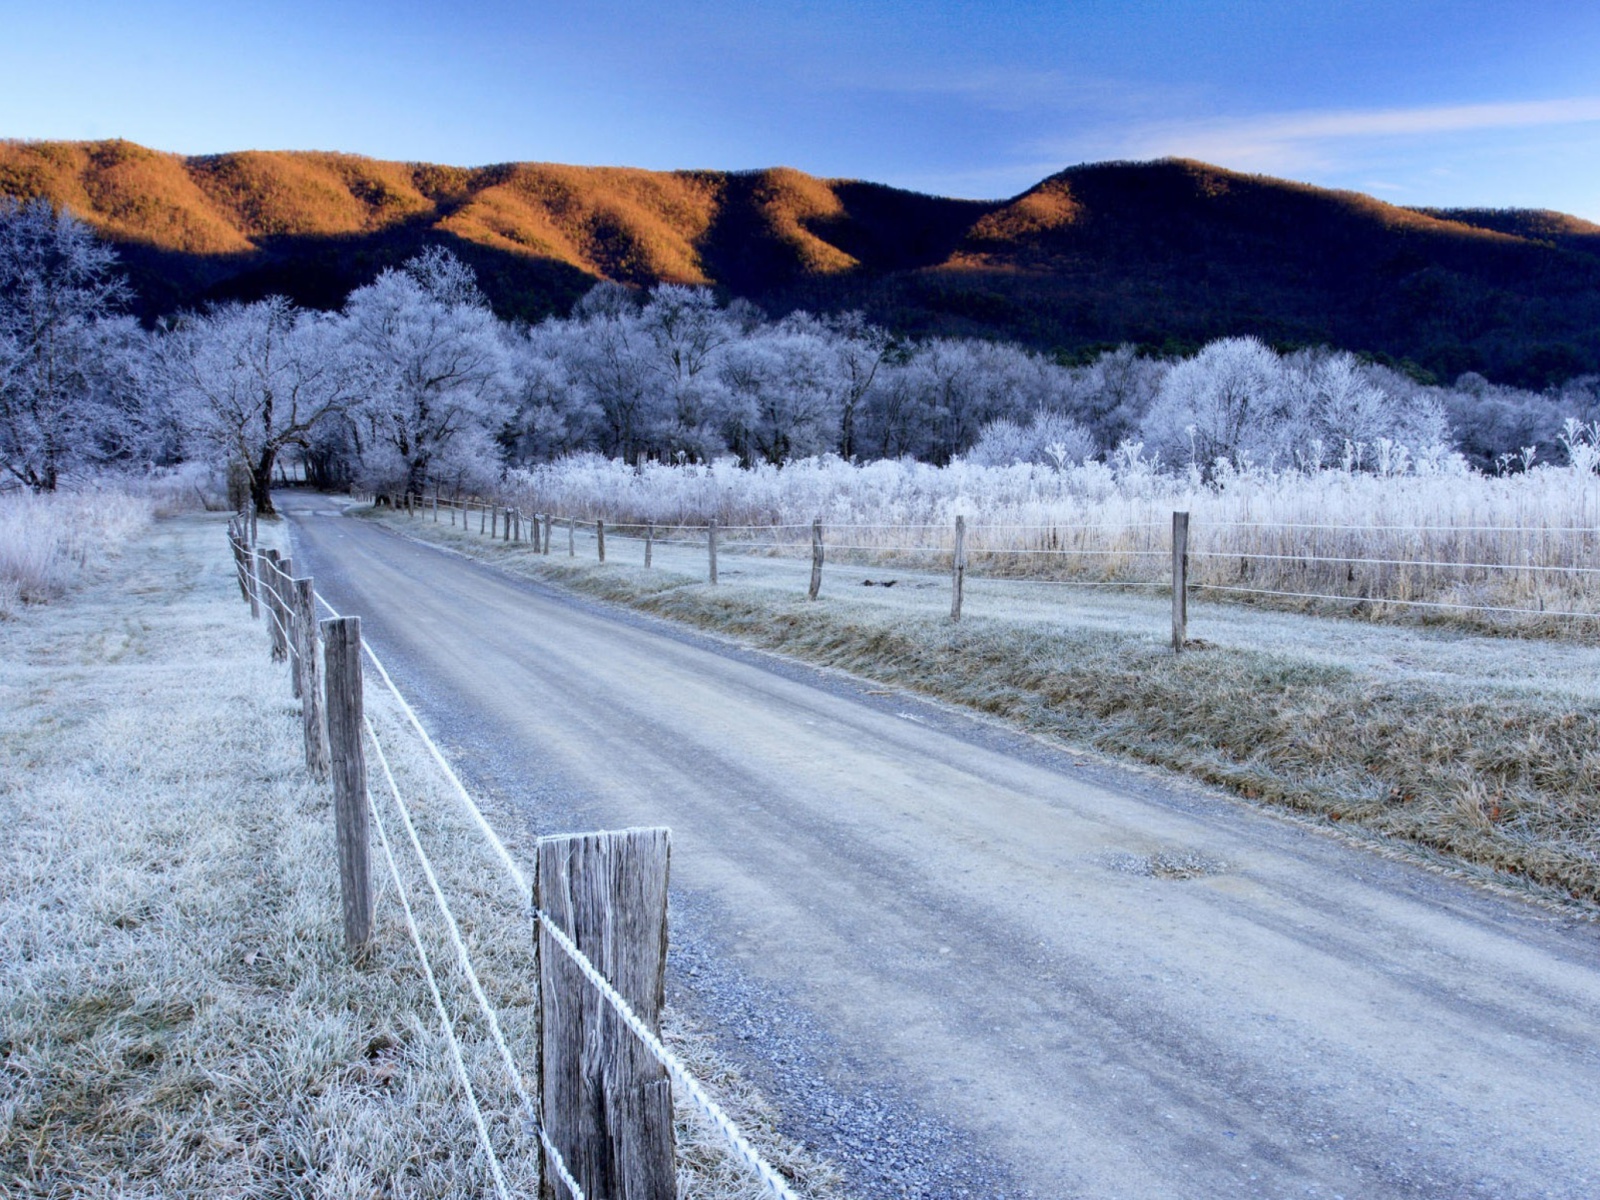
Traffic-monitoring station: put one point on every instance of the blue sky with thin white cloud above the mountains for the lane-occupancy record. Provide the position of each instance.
(1423, 103)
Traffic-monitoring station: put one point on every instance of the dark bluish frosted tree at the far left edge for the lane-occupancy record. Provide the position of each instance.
(62, 404)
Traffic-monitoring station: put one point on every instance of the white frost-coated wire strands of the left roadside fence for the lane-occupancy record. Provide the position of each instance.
(266, 582)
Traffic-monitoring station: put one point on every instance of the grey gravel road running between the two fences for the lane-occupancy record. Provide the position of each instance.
(969, 964)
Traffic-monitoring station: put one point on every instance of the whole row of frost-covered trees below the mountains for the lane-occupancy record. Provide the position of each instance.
(415, 383)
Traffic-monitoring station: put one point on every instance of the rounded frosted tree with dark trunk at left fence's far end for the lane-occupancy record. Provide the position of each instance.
(250, 382)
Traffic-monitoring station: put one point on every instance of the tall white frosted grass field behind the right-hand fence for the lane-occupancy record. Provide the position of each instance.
(1425, 542)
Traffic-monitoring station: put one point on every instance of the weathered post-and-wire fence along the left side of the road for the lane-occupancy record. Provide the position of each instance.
(602, 1103)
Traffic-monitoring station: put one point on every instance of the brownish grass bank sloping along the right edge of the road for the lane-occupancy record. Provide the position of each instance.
(1502, 783)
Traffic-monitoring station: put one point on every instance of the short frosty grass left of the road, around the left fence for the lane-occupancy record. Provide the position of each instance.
(178, 1014)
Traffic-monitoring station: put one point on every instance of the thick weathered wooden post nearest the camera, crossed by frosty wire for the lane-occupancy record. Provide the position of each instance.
(607, 1102)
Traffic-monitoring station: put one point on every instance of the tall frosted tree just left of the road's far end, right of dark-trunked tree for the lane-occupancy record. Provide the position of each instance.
(438, 374)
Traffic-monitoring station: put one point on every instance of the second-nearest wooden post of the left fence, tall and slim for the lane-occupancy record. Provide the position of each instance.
(342, 639)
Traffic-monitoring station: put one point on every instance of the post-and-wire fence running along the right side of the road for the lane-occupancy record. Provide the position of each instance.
(1460, 570)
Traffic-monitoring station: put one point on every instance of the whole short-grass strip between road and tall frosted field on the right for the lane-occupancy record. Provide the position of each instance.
(1463, 748)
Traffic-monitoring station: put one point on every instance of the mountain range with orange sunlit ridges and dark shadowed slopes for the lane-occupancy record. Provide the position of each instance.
(1166, 254)
